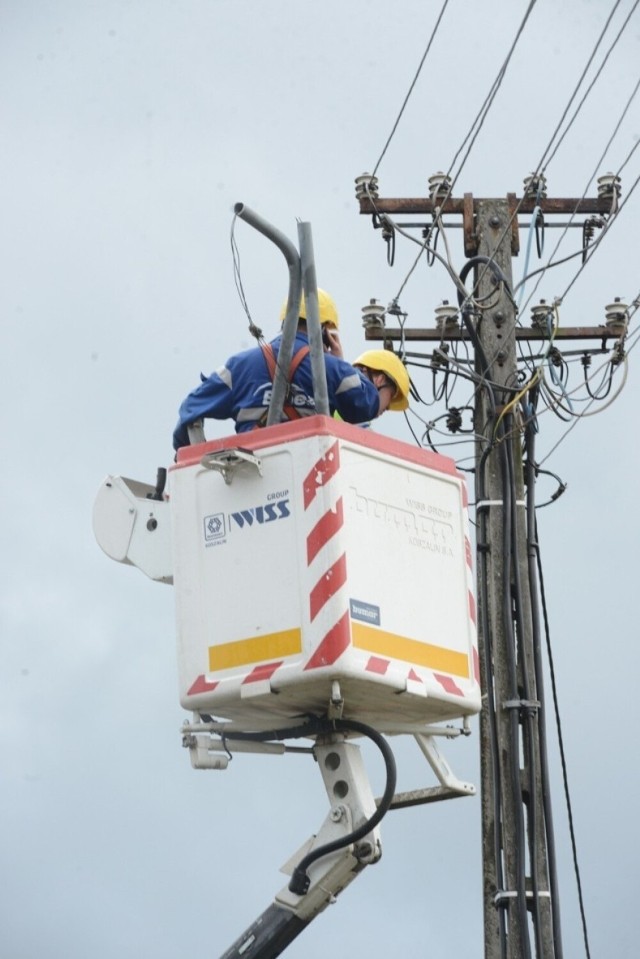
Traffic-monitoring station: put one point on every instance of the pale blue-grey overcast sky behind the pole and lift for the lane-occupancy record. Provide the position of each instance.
(130, 129)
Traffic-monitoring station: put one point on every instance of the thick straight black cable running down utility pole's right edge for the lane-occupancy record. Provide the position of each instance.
(532, 553)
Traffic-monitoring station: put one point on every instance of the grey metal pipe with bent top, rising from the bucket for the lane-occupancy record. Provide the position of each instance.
(290, 324)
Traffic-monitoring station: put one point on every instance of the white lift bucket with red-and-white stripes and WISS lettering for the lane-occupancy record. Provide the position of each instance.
(317, 553)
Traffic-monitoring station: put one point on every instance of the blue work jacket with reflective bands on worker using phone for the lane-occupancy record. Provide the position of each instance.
(241, 390)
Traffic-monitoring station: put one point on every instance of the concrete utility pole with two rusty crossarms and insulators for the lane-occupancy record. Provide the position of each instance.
(520, 895)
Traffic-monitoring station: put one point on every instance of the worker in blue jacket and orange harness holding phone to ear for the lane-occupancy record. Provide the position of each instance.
(241, 389)
